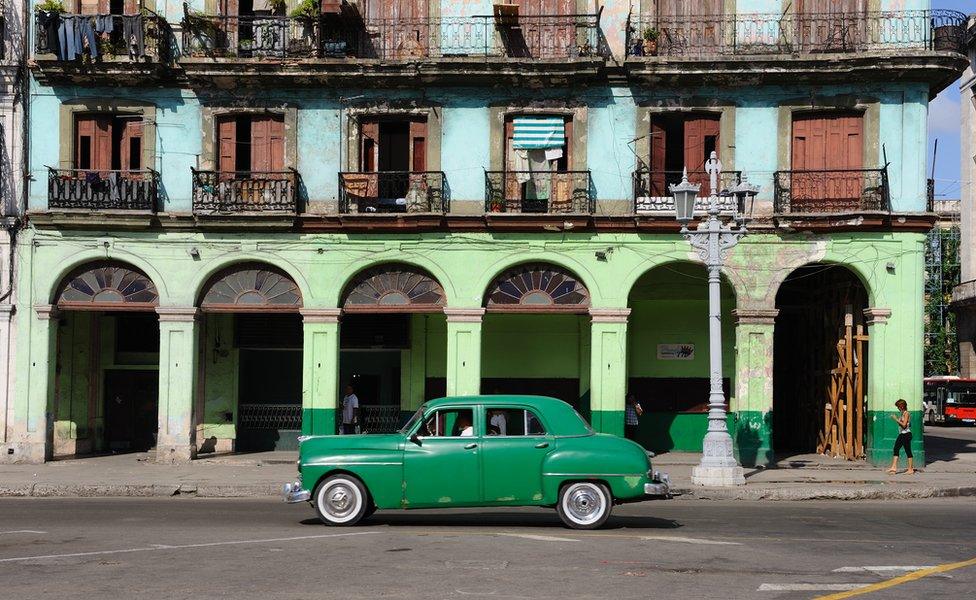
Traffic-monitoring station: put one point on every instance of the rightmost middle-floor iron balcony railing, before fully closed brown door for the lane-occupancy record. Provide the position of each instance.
(831, 191)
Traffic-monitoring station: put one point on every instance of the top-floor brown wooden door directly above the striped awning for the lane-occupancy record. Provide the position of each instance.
(546, 31)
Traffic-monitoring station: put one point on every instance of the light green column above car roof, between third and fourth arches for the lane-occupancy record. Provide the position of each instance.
(464, 350)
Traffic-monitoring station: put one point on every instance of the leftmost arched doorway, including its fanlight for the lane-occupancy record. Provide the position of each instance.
(106, 386)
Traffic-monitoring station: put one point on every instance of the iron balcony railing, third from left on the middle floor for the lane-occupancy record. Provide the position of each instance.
(393, 192)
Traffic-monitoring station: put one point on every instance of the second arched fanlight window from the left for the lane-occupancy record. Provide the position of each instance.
(251, 287)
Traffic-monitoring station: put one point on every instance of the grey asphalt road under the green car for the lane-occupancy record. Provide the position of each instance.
(199, 548)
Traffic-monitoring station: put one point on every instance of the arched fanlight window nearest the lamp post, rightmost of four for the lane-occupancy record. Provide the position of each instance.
(539, 288)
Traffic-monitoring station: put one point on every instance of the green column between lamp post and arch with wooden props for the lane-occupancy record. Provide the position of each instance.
(751, 422)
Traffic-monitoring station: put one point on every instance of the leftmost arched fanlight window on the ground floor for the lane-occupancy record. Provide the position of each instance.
(107, 286)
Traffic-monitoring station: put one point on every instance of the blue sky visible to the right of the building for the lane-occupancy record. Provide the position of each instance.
(944, 125)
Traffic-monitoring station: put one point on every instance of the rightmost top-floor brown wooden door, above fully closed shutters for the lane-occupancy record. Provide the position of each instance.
(831, 25)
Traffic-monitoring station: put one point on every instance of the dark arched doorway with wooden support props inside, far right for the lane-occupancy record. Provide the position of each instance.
(820, 363)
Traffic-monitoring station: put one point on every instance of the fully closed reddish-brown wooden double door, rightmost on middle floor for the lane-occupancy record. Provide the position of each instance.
(828, 153)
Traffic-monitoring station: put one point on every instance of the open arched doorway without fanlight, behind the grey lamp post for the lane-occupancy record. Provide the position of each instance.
(667, 354)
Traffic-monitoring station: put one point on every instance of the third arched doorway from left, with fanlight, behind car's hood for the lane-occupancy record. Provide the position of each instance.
(391, 342)
